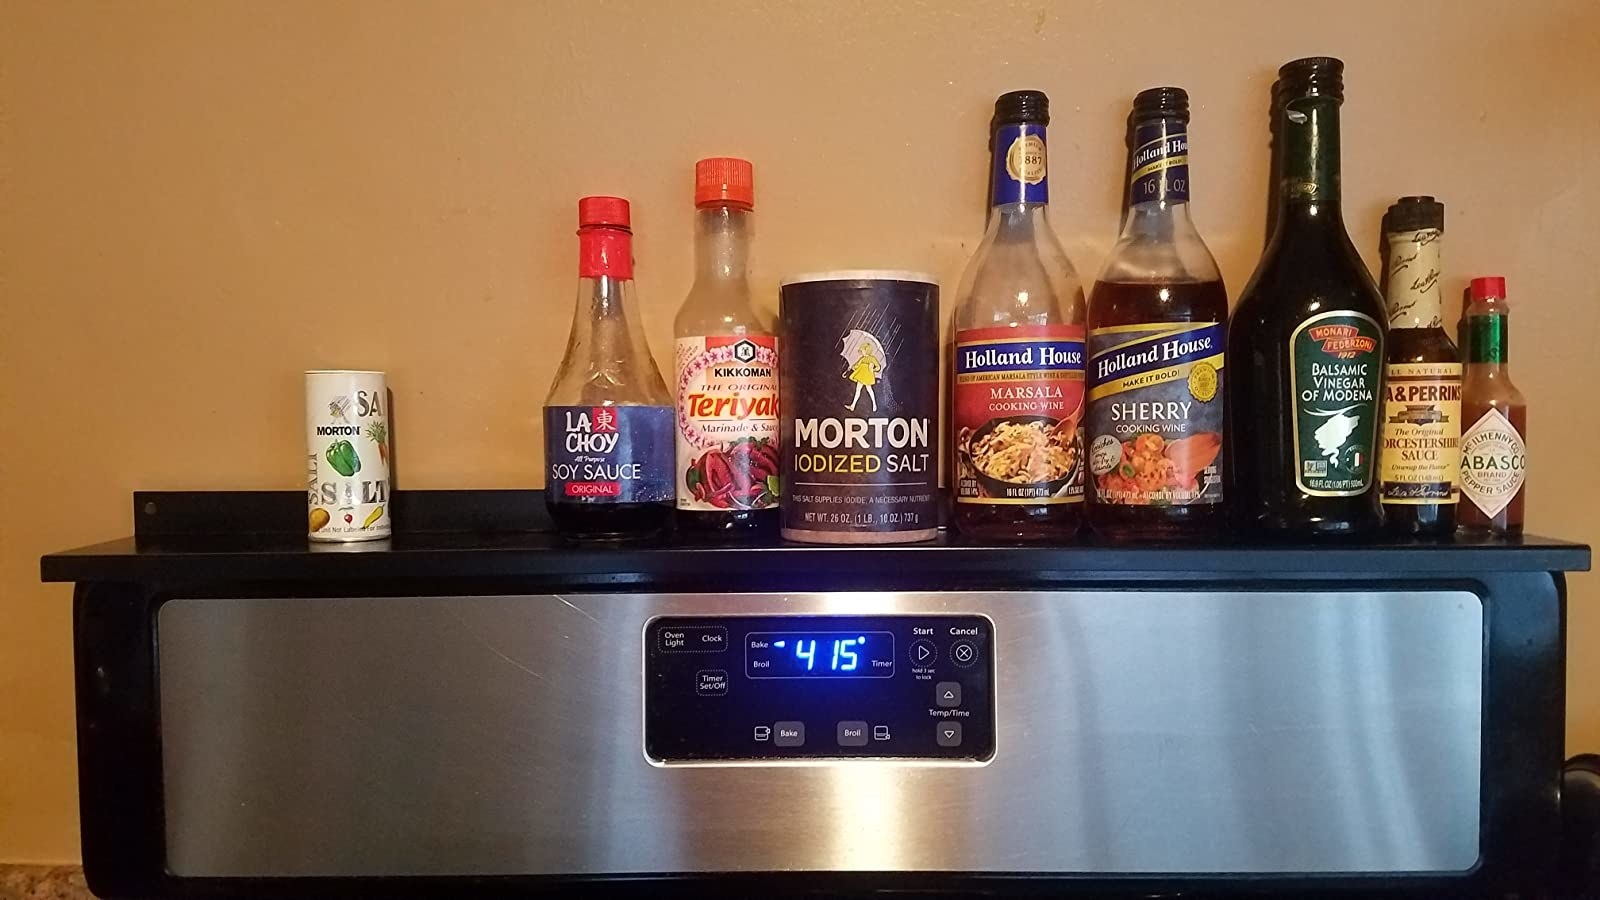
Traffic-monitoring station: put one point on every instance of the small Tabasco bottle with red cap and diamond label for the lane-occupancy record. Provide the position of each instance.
(1494, 448)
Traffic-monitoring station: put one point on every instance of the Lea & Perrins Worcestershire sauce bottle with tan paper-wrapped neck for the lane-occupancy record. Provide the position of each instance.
(1420, 456)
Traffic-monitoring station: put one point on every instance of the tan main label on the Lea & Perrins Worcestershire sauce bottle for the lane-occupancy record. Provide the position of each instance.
(1420, 460)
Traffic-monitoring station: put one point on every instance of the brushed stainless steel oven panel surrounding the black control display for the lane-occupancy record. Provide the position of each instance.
(1137, 733)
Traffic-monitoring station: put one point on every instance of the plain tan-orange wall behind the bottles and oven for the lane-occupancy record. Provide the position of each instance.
(204, 199)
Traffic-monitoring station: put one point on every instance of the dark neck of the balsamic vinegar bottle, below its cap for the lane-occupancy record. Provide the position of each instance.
(1310, 180)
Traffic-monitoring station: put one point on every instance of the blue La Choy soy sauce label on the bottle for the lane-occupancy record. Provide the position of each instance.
(609, 454)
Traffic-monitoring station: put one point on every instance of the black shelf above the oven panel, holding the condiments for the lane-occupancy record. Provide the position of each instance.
(260, 537)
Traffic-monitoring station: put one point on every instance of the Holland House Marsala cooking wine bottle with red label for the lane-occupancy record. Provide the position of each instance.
(1018, 374)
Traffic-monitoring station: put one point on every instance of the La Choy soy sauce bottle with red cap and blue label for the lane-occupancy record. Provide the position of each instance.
(609, 435)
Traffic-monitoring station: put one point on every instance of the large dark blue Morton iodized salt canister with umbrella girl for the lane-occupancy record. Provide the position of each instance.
(860, 387)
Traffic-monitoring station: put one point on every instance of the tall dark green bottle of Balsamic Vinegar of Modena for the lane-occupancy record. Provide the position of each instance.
(1306, 345)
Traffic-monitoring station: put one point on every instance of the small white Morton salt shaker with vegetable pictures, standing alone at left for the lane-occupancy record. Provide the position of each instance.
(348, 456)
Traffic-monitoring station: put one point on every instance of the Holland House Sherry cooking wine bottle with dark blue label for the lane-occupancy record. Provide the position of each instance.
(1156, 345)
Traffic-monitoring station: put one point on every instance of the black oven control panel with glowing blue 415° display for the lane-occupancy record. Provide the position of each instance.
(820, 688)
